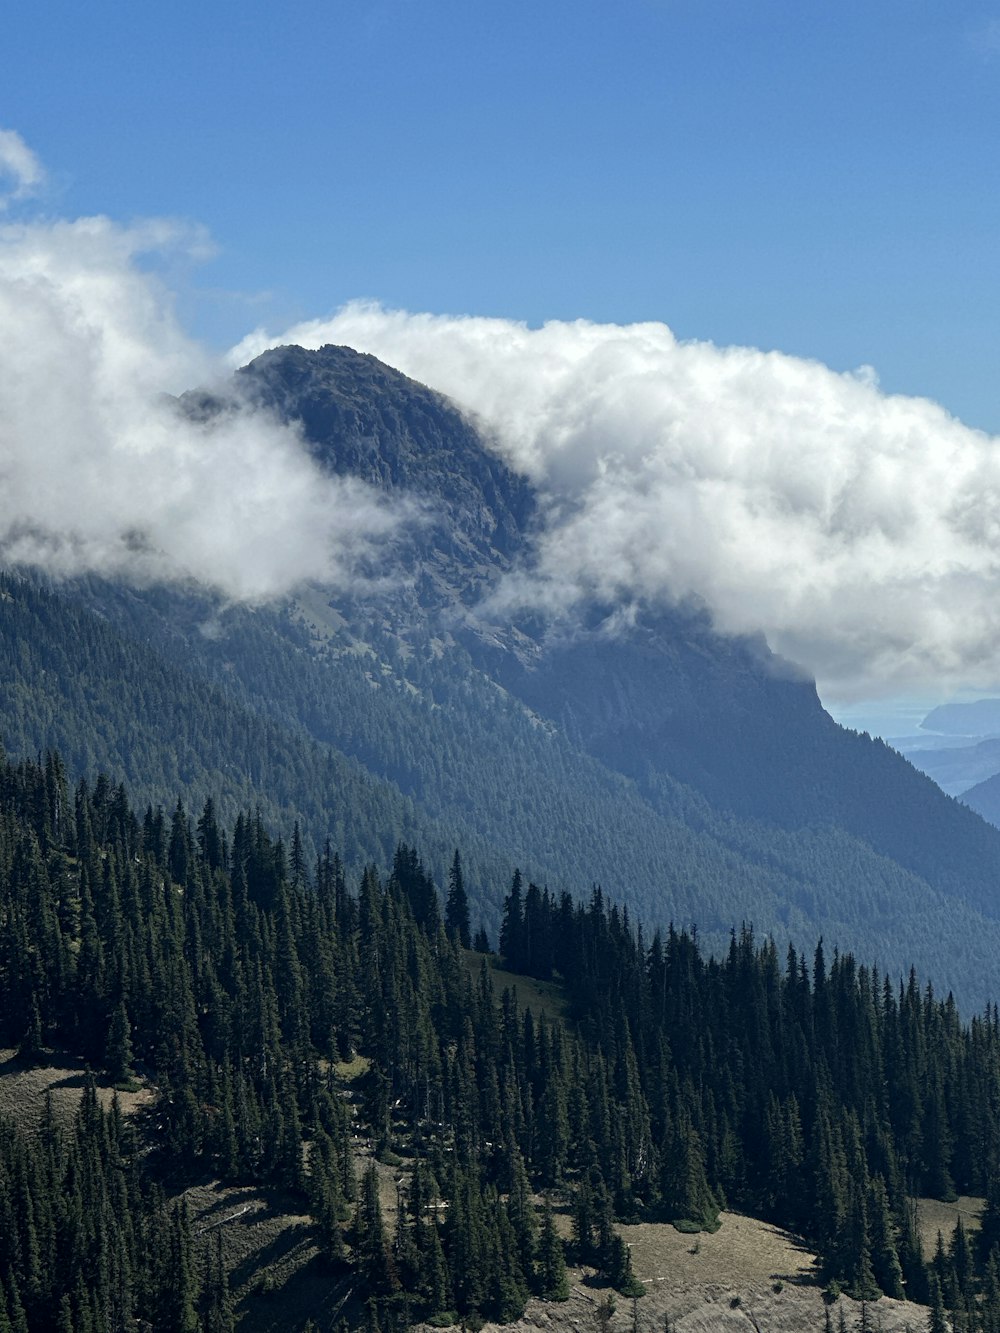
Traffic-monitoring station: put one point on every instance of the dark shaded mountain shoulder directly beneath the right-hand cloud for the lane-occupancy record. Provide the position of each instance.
(730, 720)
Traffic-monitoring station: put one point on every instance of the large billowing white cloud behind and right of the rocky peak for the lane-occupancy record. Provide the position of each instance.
(859, 531)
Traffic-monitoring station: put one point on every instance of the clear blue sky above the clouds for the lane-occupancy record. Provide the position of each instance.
(814, 178)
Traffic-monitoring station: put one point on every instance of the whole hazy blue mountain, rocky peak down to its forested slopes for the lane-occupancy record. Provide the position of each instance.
(694, 776)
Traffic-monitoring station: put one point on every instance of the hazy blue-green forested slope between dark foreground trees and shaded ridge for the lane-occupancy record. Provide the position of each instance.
(370, 754)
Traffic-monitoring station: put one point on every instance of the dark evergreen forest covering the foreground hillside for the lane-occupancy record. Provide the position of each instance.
(235, 975)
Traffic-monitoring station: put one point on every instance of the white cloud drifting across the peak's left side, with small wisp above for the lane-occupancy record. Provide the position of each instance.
(99, 473)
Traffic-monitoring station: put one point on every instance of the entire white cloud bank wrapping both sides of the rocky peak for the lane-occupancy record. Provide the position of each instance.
(859, 531)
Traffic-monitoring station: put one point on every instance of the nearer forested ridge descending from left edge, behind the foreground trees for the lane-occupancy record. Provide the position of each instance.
(113, 703)
